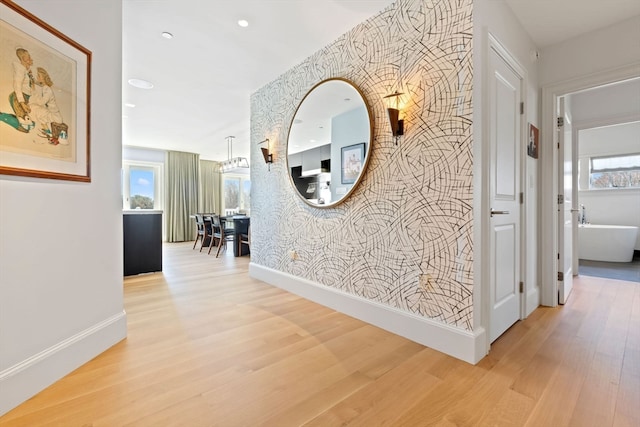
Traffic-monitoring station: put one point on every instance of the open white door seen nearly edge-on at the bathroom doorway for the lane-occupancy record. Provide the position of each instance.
(566, 208)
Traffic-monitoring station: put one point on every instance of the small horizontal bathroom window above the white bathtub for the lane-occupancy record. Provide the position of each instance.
(621, 171)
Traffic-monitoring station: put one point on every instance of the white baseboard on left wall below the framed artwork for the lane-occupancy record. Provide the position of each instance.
(27, 378)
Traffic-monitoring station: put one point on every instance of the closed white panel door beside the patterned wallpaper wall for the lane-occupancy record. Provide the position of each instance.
(505, 141)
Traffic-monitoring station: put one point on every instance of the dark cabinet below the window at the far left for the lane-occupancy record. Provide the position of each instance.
(142, 235)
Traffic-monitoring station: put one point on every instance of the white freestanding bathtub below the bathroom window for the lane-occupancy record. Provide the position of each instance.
(614, 243)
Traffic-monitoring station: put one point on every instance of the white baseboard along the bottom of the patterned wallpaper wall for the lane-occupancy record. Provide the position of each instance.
(461, 344)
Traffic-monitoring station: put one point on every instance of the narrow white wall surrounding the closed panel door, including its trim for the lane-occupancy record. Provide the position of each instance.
(495, 18)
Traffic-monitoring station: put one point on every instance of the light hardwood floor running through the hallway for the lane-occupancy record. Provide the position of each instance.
(209, 346)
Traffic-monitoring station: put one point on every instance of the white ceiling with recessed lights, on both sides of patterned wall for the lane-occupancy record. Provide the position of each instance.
(204, 76)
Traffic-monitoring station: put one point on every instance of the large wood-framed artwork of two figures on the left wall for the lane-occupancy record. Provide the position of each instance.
(45, 81)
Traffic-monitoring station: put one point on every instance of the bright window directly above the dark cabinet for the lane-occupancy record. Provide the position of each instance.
(141, 186)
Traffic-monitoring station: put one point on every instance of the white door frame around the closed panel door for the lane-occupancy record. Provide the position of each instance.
(494, 43)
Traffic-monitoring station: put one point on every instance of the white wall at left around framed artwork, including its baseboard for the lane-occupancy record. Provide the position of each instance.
(61, 265)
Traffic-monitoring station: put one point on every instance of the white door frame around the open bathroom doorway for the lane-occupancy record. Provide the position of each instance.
(549, 180)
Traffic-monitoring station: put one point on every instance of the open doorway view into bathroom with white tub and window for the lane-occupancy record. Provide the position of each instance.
(606, 173)
